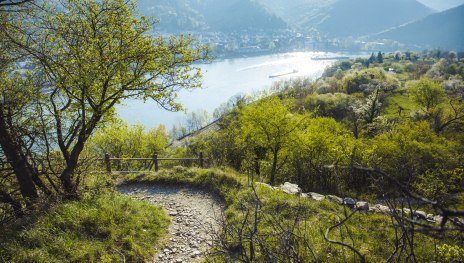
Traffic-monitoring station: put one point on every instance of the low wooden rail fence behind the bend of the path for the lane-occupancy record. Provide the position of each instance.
(154, 161)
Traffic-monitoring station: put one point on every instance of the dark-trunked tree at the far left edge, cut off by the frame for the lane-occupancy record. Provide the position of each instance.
(19, 96)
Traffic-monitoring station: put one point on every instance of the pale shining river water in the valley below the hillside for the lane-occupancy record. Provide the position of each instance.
(223, 79)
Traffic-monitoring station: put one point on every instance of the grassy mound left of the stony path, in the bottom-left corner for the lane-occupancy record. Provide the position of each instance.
(105, 228)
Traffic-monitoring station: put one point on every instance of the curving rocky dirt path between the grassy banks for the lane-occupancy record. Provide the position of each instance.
(194, 219)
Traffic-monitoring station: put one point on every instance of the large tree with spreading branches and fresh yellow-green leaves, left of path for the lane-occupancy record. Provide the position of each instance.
(92, 56)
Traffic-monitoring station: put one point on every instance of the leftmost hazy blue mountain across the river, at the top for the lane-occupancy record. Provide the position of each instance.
(213, 15)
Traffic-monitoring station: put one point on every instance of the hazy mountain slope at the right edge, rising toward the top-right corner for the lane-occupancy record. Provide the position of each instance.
(443, 30)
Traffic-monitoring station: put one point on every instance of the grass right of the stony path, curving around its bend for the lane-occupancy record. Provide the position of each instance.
(272, 226)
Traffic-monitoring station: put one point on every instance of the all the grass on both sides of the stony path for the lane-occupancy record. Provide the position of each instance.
(260, 223)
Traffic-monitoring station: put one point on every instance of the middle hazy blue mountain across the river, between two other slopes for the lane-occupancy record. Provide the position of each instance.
(344, 18)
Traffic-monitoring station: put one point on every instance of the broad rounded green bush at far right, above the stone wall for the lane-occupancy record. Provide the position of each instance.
(409, 150)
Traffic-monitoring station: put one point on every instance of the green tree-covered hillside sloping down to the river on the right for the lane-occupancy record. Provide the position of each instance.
(400, 113)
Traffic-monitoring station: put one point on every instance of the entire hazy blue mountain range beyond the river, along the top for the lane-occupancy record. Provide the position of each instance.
(397, 20)
